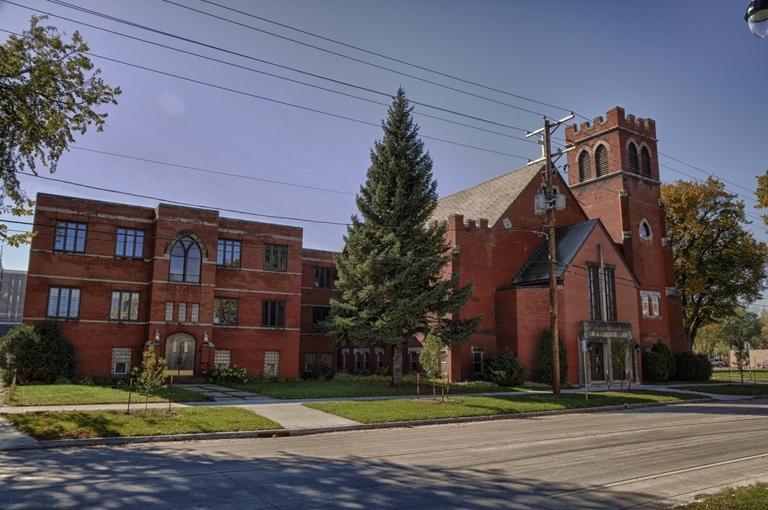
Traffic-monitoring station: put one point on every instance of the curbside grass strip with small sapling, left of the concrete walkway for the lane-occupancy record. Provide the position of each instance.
(84, 424)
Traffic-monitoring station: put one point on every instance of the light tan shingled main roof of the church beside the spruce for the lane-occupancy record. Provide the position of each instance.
(488, 200)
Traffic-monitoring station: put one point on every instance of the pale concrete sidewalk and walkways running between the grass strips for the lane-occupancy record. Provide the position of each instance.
(291, 415)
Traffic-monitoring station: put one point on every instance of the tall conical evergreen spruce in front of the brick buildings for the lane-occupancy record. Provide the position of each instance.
(389, 274)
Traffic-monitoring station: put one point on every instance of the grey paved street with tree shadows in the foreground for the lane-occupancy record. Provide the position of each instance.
(641, 458)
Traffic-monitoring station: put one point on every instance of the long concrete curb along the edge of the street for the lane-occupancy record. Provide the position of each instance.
(256, 434)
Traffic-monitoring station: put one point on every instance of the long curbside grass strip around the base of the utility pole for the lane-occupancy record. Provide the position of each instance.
(382, 411)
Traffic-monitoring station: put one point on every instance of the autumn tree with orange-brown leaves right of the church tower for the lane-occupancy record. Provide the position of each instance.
(719, 266)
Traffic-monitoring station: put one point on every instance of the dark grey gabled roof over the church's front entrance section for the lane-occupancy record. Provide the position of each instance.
(568, 242)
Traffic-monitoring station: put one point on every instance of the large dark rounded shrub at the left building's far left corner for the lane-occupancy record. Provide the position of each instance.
(43, 353)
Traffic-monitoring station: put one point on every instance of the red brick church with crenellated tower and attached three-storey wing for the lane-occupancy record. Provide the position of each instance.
(213, 292)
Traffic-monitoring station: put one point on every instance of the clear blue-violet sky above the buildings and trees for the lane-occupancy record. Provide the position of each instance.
(480, 74)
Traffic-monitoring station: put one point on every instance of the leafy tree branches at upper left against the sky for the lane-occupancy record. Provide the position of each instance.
(48, 92)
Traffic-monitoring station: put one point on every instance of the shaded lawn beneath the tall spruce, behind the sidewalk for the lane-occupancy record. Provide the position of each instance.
(361, 387)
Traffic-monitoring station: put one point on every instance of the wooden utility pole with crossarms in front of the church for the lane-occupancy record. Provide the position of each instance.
(551, 202)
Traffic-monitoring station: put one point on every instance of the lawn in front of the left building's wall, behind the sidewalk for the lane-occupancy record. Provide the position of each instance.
(66, 394)
